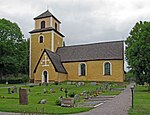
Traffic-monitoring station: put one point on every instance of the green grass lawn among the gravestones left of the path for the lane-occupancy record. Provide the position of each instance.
(10, 102)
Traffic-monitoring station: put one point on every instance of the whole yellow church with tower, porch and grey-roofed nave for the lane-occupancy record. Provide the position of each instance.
(51, 61)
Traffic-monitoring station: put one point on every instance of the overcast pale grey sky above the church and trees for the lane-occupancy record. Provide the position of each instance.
(83, 21)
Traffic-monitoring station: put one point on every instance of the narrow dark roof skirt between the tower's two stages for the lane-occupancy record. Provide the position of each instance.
(46, 29)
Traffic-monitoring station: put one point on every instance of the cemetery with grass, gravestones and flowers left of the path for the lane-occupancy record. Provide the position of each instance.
(57, 98)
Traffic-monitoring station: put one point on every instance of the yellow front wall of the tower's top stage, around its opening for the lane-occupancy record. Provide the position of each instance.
(38, 22)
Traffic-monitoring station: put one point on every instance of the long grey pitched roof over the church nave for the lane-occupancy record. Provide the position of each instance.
(105, 50)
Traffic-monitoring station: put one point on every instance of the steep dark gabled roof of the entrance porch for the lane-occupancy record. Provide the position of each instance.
(55, 59)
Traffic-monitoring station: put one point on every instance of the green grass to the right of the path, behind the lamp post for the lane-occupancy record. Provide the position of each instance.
(141, 101)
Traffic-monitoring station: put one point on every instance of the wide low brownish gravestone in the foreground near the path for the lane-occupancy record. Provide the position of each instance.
(67, 102)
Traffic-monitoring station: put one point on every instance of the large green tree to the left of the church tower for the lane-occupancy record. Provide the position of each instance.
(13, 49)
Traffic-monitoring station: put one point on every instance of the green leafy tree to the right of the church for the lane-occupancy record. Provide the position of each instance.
(138, 51)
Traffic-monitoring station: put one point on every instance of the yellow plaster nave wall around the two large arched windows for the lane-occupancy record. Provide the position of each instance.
(95, 71)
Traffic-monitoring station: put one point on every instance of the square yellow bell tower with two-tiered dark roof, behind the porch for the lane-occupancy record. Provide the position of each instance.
(45, 35)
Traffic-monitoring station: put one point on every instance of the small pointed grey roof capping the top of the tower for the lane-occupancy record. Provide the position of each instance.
(45, 15)
